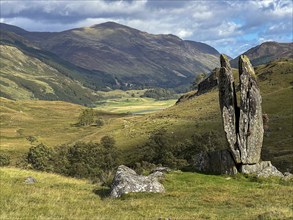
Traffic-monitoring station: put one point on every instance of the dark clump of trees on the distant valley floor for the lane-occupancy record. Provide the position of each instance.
(160, 94)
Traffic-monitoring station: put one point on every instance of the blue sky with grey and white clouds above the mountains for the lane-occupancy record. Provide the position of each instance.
(231, 27)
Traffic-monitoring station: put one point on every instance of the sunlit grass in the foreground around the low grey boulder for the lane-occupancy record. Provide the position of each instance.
(188, 196)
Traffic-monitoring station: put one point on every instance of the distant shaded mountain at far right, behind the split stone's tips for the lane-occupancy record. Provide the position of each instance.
(266, 52)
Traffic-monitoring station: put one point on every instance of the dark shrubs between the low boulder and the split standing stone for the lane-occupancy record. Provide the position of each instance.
(160, 149)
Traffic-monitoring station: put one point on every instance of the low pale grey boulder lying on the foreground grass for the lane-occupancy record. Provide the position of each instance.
(127, 180)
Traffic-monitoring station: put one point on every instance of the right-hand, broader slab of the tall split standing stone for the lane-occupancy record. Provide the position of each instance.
(250, 136)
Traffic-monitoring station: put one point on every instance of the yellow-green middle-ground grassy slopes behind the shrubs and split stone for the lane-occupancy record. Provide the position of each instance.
(53, 122)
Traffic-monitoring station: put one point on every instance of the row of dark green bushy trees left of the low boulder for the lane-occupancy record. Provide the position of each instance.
(95, 161)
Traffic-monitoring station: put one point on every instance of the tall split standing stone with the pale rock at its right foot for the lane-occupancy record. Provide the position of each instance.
(243, 125)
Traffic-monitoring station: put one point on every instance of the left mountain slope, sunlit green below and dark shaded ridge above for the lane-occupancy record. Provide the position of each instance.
(26, 69)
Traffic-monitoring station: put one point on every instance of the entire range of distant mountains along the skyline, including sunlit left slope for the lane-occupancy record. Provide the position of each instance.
(80, 61)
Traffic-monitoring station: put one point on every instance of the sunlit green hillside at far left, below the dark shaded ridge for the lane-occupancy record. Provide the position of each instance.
(26, 77)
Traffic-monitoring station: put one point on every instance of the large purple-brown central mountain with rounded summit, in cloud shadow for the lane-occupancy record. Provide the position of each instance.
(132, 56)
